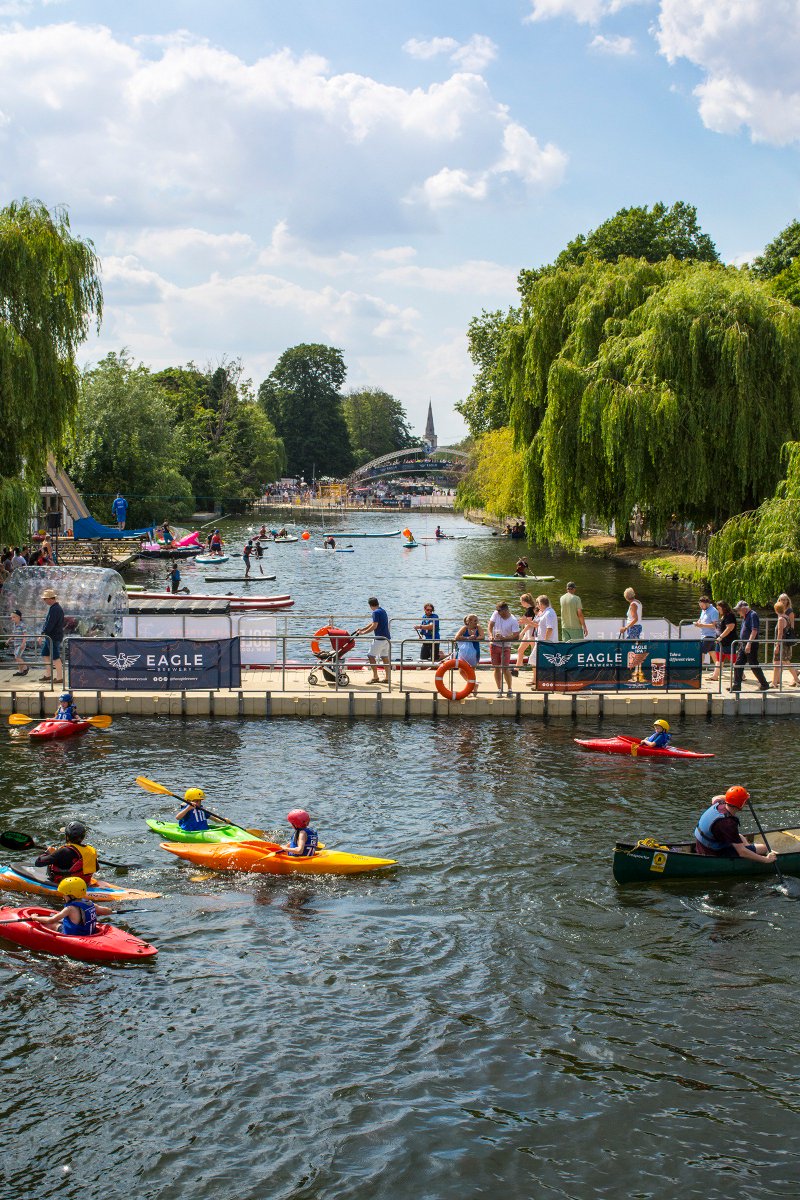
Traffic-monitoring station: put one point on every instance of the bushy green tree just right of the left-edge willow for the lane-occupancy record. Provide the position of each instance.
(125, 439)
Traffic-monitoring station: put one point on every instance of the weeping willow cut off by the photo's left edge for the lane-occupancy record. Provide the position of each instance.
(50, 290)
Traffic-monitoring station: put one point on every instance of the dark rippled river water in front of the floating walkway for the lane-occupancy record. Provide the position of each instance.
(497, 1018)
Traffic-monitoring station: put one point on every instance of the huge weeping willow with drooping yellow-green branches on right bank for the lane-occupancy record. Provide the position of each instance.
(666, 386)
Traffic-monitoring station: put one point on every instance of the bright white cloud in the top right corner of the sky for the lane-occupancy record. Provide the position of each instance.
(749, 52)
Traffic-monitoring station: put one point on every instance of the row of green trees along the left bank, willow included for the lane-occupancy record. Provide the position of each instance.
(176, 440)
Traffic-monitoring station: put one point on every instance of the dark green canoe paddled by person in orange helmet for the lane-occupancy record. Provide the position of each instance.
(653, 865)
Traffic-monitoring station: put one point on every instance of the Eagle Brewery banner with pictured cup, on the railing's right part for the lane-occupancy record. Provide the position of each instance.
(619, 667)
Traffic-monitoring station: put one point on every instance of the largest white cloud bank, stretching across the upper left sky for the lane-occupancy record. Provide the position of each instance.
(171, 130)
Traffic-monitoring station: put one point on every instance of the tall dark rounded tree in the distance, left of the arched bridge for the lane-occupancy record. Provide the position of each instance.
(302, 397)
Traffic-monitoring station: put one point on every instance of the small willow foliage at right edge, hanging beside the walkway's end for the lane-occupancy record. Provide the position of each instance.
(757, 555)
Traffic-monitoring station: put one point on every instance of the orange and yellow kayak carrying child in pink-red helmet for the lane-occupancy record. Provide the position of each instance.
(264, 860)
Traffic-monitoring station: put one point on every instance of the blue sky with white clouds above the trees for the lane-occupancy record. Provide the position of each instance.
(372, 176)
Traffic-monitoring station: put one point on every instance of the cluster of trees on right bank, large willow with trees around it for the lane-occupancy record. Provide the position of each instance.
(639, 371)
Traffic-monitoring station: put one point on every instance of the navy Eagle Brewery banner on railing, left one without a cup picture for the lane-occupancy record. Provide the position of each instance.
(134, 664)
